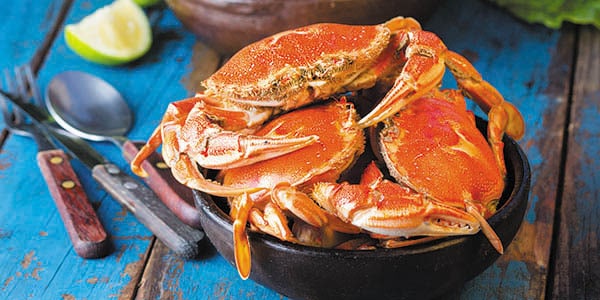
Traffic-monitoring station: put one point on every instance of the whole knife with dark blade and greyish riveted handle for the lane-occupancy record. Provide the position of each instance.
(136, 197)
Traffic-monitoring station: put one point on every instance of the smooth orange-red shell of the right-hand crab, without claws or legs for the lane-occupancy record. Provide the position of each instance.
(434, 146)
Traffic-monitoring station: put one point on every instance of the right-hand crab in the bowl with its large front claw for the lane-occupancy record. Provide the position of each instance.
(434, 149)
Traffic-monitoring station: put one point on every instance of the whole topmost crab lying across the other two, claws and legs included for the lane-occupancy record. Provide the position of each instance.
(297, 67)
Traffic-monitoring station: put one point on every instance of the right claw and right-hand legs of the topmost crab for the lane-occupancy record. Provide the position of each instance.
(424, 63)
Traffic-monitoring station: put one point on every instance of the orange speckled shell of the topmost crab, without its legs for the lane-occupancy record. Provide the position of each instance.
(291, 68)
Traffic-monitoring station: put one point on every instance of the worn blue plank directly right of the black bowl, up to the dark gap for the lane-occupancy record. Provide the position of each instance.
(530, 65)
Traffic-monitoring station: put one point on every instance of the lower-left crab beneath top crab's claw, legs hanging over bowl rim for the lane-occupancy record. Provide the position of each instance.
(340, 142)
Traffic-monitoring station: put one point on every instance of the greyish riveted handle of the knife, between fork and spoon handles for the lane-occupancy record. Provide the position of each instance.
(149, 210)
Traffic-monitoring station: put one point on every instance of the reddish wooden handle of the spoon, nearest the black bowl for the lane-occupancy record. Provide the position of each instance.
(176, 196)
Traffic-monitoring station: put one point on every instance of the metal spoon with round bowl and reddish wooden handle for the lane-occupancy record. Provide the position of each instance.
(93, 109)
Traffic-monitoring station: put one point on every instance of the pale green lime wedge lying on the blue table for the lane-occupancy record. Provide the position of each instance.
(112, 35)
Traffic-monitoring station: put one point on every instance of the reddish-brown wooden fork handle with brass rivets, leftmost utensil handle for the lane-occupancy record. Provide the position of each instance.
(85, 230)
